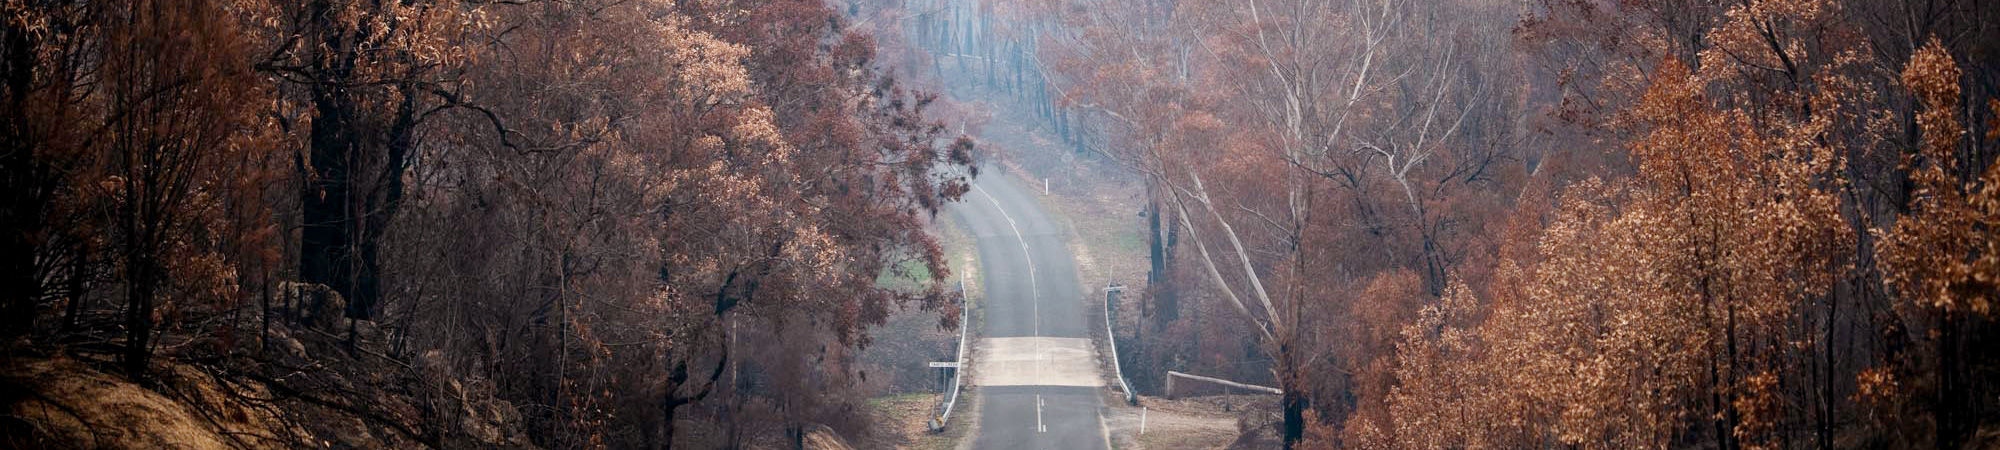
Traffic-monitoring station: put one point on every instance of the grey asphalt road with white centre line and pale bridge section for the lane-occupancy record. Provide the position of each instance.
(1037, 379)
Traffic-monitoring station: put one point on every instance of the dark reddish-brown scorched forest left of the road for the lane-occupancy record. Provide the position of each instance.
(385, 209)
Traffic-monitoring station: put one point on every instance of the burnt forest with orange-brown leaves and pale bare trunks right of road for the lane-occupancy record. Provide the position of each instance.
(1557, 223)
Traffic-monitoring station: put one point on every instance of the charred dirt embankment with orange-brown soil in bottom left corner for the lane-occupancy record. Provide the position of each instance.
(303, 389)
